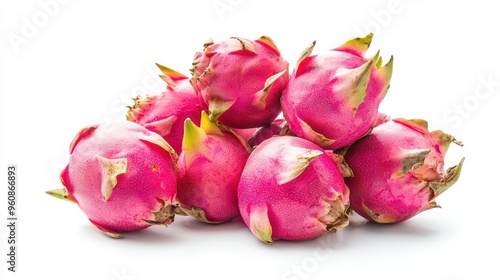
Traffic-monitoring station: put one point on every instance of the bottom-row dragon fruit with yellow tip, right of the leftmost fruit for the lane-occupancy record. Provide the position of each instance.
(210, 166)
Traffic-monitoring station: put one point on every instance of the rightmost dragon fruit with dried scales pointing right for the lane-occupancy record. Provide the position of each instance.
(399, 170)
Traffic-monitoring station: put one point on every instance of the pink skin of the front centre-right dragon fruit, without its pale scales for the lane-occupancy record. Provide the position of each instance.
(293, 206)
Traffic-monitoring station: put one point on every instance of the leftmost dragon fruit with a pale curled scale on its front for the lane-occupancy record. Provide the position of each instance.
(122, 176)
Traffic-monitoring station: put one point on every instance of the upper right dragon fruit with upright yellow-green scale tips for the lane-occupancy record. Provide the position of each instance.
(332, 98)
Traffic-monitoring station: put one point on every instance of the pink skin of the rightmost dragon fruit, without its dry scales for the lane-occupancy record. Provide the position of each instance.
(374, 161)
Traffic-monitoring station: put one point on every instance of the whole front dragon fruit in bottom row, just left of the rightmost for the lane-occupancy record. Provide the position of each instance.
(292, 189)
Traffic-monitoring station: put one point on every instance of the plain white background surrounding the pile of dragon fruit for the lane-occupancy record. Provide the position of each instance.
(78, 63)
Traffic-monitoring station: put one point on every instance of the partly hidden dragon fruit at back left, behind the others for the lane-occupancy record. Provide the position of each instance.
(165, 113)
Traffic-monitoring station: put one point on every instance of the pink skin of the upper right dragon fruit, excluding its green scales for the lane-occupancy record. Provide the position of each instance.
(311, 97)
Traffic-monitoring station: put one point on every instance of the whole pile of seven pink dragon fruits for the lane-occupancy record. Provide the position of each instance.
(293, 153)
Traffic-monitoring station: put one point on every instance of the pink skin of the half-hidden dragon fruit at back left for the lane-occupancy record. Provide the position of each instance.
(180, 101)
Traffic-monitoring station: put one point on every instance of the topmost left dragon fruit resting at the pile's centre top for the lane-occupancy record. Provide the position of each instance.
(241, 80)
